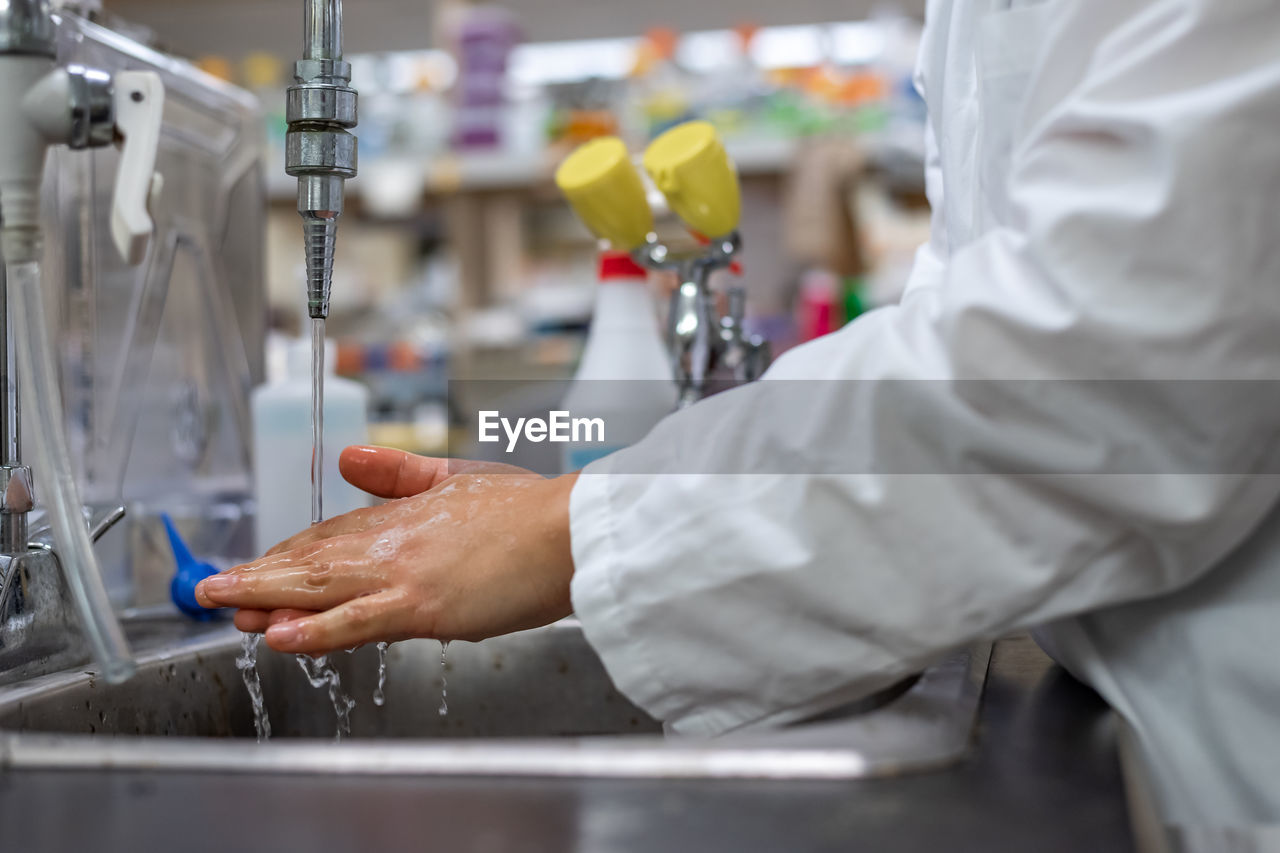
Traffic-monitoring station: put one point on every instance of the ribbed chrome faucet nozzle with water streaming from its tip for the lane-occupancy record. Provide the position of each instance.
(319, 149)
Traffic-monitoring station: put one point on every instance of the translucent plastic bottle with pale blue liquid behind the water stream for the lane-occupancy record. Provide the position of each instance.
(282, 446)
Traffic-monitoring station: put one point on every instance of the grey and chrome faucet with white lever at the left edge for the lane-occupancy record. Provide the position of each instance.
(43, 104)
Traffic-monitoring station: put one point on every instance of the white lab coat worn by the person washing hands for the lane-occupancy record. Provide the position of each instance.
(1107, 188)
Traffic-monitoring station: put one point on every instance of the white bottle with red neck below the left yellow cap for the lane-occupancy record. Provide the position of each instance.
(625, 377)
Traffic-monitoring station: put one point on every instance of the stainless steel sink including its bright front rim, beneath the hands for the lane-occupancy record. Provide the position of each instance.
(532, 704)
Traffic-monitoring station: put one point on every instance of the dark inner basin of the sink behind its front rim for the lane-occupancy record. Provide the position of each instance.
(543, 683)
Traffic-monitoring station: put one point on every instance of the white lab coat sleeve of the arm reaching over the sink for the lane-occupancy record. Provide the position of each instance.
(1140, 245)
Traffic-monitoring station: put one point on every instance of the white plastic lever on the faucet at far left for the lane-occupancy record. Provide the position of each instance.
(139, 113)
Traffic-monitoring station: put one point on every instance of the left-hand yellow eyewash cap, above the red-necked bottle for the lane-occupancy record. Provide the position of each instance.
(606, 193)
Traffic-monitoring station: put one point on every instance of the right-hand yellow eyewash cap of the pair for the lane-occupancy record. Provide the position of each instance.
(691, 167)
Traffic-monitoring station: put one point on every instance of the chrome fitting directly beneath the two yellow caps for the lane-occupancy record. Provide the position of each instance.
(701, 341)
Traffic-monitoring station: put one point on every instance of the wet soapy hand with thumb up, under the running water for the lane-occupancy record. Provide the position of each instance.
(469, 551)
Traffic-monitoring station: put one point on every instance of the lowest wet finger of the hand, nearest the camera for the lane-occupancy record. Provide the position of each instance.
(381, 617)
